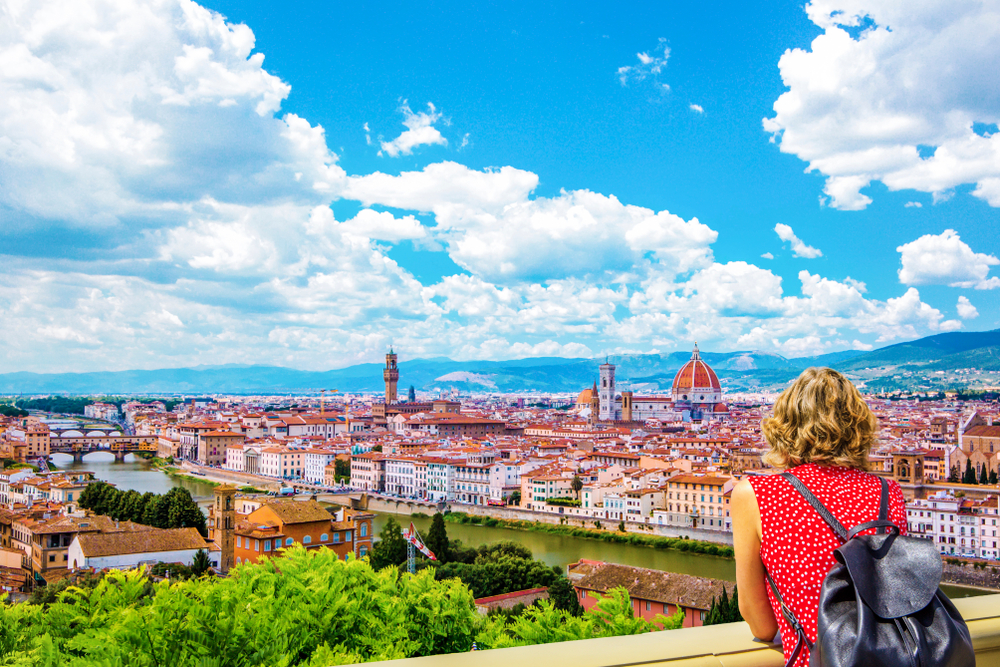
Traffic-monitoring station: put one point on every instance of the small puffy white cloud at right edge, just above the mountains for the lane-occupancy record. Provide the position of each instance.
(945, 260)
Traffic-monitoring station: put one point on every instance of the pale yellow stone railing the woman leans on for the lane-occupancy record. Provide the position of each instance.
(729, 645)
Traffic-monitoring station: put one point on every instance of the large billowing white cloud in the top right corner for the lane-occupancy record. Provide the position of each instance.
(896, 102)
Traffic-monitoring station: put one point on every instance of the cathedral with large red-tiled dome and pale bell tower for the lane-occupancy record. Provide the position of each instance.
(696, 395)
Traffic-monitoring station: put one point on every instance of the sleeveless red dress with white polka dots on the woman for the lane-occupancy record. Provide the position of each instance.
(797, 545)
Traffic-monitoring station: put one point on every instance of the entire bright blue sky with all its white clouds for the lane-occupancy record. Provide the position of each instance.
(491, 181)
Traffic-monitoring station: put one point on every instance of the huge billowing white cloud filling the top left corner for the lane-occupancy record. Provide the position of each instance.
(109, 114)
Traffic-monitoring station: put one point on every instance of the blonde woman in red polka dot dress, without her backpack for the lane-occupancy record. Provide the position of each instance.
(821, 431)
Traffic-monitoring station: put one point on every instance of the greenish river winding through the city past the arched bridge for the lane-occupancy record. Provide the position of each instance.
(135, 473)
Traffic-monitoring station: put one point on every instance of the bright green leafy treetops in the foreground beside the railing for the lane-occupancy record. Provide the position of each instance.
(304, 608)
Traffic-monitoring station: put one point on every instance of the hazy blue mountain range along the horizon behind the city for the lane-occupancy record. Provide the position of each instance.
(931, 362)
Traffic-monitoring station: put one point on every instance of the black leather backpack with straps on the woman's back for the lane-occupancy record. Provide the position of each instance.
(880, 603)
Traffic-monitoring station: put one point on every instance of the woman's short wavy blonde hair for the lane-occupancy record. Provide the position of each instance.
(822, 419)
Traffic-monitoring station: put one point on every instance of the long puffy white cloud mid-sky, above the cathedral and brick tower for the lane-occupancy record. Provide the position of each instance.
(492, 228)
